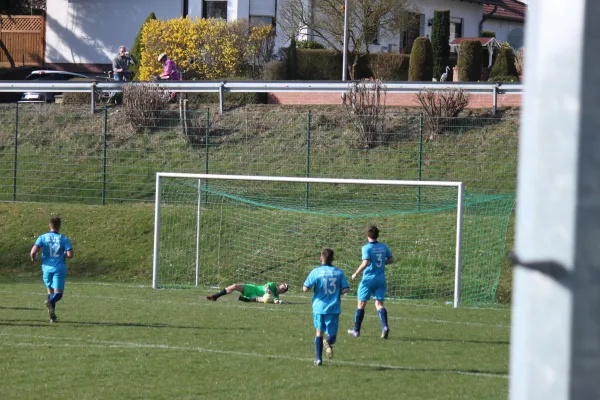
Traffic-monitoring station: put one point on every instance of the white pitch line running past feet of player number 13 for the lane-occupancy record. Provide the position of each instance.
(111, 344)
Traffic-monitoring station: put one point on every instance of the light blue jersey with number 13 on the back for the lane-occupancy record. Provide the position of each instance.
(328, 282)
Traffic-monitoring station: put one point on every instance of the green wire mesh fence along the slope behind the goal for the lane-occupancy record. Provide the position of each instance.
(103, 158)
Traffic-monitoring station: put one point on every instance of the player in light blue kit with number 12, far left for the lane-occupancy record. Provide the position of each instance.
(55, 248)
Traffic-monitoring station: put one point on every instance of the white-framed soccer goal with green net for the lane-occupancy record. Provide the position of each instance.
(215, 230)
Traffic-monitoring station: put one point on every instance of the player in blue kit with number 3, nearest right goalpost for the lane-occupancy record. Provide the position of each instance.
(375, 256)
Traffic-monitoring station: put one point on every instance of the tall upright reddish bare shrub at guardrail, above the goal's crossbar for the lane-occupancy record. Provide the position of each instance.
(366, 110)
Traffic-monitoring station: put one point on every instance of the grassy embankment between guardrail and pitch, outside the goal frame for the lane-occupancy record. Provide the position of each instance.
(115, 241)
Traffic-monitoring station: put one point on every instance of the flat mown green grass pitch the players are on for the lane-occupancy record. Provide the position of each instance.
(116, 341)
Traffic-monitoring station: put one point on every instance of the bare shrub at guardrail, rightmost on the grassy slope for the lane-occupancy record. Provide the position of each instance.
(440, 107)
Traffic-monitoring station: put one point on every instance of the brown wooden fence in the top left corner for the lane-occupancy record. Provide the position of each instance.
(22, 40)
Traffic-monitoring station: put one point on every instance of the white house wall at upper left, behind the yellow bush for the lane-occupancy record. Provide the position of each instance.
(85, 34)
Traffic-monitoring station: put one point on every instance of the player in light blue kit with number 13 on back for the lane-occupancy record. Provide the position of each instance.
(329, 284)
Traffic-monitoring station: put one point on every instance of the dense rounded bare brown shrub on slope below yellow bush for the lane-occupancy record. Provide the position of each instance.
(145, 104)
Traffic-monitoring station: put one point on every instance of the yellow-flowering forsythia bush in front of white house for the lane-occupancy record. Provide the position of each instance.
(220, 48)
